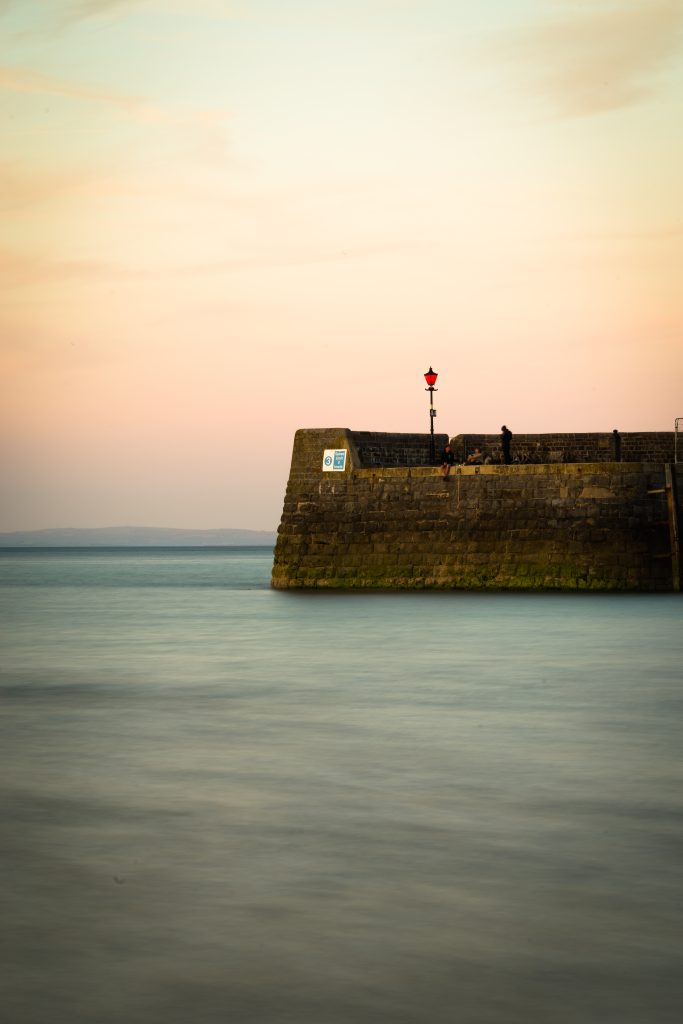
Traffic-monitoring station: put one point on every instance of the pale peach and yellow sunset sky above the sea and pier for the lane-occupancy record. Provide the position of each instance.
(227, 220)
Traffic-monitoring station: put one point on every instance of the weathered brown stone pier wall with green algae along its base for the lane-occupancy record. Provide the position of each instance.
(599, 526)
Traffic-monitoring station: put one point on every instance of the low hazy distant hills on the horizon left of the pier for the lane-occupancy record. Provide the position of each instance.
(138, 537)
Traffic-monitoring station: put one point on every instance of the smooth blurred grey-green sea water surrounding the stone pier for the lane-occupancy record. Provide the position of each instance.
(227, 804)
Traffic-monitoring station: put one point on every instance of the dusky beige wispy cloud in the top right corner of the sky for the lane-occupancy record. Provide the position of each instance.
(600, 57)
